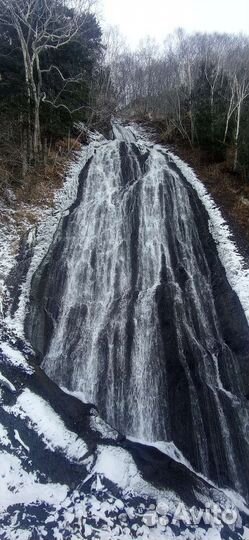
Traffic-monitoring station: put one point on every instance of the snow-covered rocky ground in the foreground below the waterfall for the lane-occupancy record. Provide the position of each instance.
(108, 499)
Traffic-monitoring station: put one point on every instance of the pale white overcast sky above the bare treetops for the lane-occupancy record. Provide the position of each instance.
(157, 18)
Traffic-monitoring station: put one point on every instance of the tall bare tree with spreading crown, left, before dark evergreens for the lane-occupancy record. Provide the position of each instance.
(41, 25)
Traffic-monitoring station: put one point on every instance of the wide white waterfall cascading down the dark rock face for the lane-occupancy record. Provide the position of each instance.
(131, 307)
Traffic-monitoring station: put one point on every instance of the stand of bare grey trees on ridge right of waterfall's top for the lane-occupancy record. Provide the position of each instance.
(197, 85)
